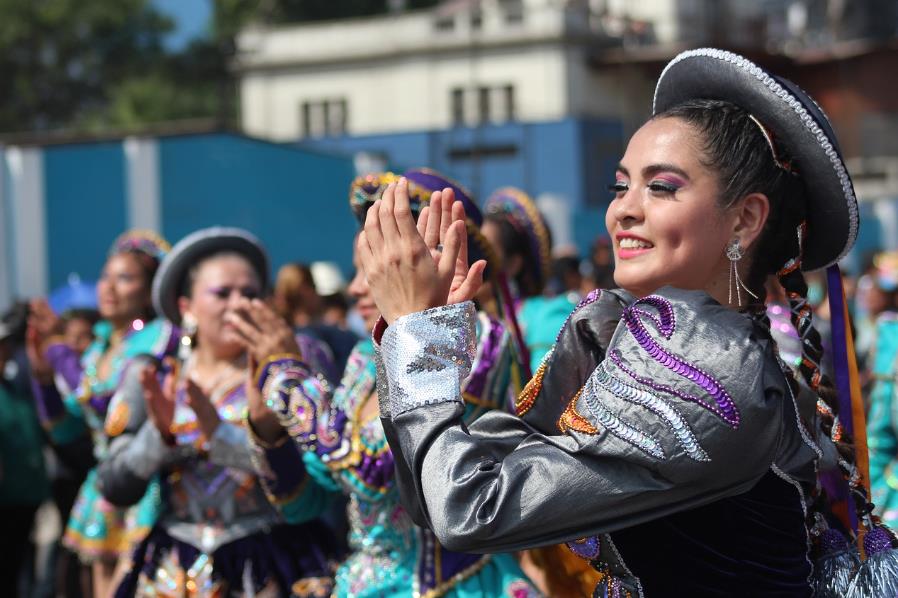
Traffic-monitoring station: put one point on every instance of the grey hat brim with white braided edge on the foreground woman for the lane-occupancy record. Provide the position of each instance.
(798, 124)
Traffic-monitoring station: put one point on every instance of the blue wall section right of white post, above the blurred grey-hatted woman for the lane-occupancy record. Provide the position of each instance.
(295, 200)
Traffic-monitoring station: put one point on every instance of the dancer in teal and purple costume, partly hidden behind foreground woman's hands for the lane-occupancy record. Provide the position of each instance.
(339, 446)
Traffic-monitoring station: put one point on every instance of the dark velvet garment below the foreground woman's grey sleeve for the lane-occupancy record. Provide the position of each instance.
(753, 544)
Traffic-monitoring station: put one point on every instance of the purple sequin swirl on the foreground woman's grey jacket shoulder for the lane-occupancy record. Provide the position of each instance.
(665, 322)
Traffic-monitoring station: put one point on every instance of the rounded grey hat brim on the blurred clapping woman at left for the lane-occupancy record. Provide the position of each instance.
(169, 280)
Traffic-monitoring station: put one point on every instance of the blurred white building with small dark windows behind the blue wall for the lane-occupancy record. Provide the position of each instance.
(465, 62)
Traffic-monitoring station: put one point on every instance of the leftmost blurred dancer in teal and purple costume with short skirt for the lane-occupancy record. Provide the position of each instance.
(98, 532)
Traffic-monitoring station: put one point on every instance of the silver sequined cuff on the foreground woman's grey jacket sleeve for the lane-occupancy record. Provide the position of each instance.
(425, 357)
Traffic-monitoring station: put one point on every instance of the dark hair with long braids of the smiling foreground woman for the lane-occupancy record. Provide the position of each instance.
(736, 148)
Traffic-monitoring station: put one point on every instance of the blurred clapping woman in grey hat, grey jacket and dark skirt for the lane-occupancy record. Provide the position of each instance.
(217, 534)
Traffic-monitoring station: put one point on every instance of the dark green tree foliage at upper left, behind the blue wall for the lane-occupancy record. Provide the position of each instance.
(95, 65)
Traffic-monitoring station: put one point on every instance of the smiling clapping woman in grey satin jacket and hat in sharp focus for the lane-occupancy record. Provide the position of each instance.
(663, 439)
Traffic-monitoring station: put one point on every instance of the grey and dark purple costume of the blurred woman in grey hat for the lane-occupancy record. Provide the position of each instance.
(217, 531)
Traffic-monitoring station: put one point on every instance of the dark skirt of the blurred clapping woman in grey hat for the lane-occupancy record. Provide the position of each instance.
(297, 560)
